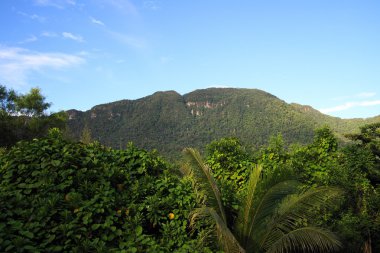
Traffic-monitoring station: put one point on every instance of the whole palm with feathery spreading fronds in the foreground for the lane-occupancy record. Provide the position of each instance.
(272, 215)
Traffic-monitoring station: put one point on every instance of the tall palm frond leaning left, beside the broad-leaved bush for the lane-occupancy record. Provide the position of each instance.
(202, 175)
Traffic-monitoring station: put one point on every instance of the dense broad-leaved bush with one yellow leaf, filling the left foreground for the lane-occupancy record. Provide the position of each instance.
(59, 196)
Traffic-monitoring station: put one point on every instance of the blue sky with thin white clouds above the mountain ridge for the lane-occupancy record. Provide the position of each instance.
(80, 53)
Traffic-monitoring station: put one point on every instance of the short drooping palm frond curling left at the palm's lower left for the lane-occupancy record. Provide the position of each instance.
(225, 237)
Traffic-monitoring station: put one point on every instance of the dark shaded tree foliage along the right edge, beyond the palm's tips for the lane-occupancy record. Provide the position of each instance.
(358, 174)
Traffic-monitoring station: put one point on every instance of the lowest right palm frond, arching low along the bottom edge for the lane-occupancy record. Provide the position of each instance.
(306, 239)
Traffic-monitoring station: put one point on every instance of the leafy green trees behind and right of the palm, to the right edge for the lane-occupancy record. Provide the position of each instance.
(351, 168)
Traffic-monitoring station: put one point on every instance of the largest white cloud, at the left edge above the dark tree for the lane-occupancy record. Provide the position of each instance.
(17, 64)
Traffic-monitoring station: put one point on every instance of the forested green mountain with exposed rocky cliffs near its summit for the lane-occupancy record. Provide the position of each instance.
(168, 122)
